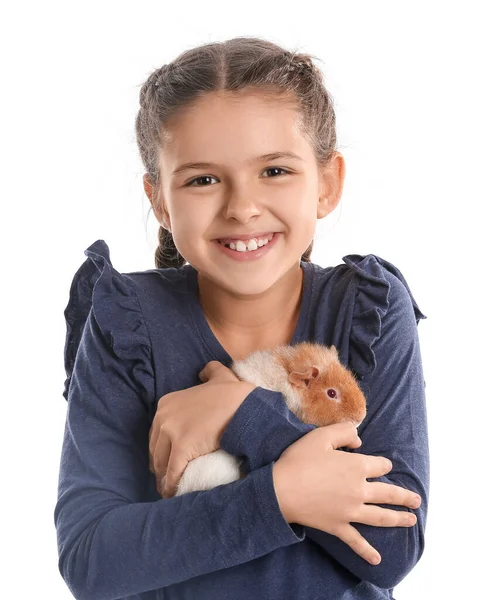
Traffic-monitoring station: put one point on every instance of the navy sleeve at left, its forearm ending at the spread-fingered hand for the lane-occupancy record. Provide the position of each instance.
(112, 542)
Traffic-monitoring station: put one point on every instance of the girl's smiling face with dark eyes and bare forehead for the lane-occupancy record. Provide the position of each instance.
(238, 193)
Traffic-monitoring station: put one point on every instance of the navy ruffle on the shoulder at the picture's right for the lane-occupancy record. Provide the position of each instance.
(371, 302)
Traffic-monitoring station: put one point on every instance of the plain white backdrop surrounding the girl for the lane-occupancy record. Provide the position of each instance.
(408, 84)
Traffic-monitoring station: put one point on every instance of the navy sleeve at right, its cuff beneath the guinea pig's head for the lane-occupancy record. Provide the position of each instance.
(395, 427)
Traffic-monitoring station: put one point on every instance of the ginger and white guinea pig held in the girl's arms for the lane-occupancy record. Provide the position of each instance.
(316, 387)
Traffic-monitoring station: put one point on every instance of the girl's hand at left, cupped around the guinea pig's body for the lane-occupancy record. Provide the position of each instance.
(189, 423)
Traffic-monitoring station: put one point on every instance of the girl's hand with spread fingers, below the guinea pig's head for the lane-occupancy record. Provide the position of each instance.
(321, 487)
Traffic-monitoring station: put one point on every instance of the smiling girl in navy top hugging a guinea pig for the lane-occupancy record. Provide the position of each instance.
(239, 145)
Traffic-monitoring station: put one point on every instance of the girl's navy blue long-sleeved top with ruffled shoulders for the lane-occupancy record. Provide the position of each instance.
(133, 337)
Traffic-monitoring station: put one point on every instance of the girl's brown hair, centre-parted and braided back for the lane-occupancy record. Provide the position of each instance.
(231, 65)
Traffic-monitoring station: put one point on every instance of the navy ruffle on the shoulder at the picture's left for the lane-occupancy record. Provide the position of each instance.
(116, 308)
